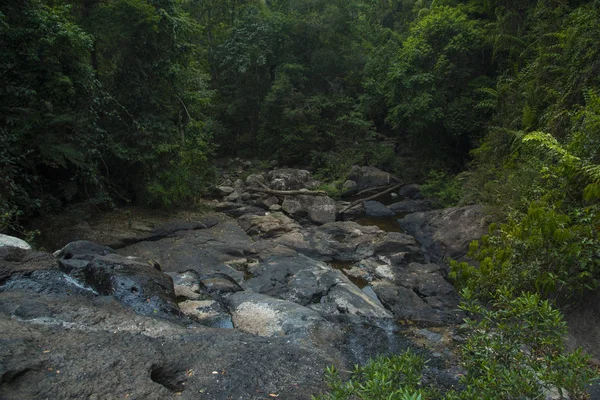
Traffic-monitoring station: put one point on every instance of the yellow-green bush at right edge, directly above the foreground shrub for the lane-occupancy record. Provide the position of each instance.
(545, 251)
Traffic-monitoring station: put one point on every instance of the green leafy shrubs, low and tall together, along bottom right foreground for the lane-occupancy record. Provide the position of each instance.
(514, 350)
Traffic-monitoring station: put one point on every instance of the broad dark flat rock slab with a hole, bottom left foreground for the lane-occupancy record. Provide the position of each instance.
(76, 346)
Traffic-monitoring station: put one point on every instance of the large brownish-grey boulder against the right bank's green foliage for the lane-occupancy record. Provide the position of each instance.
(447, 232)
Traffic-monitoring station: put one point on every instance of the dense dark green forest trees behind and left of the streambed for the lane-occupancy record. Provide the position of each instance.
(92, 88)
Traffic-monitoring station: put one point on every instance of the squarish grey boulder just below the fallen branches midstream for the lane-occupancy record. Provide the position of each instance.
(318, 209)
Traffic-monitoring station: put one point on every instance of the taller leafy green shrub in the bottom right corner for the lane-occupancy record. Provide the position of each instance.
(515, 350)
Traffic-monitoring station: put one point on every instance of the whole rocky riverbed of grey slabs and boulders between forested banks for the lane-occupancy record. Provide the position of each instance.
(251, 302)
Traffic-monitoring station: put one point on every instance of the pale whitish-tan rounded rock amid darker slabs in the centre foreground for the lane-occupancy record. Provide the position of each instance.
(266, 316)
